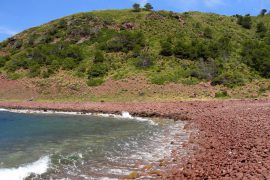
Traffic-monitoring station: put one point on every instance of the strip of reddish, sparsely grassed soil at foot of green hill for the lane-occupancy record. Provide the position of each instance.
(67, 87)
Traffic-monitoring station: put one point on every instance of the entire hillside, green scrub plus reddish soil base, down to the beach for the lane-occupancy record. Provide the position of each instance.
(160, 54)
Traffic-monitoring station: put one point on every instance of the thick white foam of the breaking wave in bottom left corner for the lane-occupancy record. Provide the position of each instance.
(38, 167)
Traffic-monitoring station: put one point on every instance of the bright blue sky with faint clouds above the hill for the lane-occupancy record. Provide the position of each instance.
(18, 15)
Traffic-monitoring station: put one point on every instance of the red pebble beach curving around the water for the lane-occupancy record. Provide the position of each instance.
(233, 140)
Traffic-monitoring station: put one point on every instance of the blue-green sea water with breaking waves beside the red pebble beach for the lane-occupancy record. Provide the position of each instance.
(85, 146)
